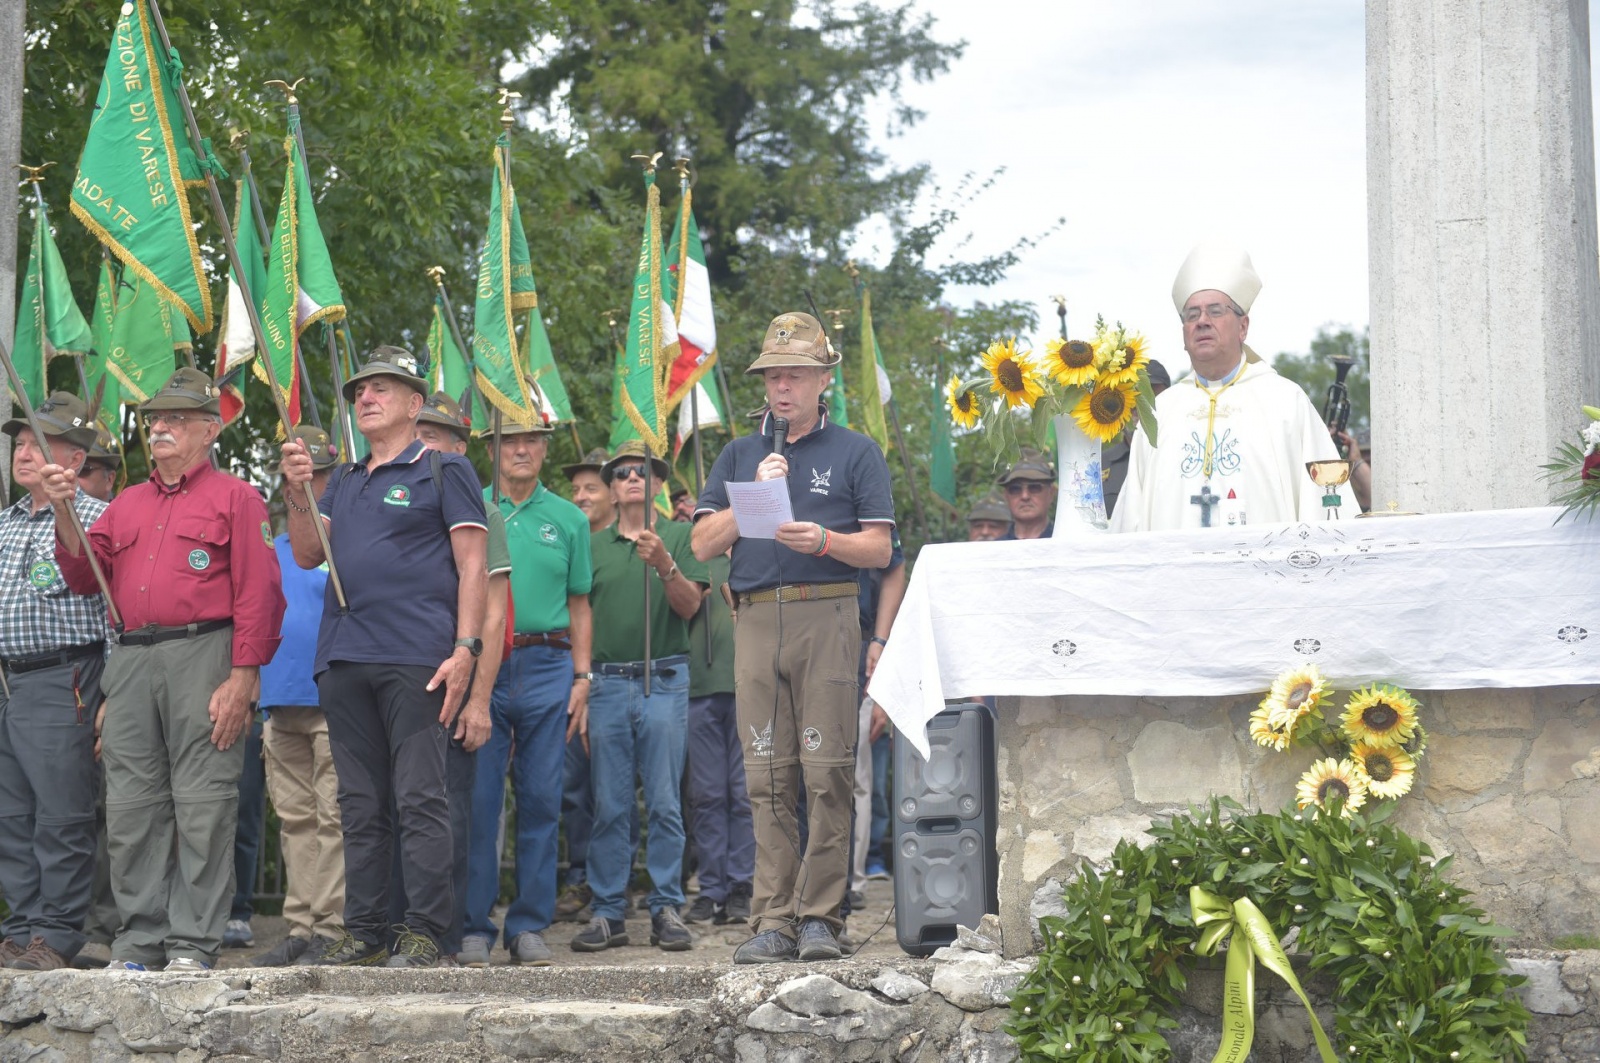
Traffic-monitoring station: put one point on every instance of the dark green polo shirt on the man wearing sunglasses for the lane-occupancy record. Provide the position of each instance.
(618, 596)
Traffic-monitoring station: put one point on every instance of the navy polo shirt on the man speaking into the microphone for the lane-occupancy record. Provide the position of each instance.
(838, 479)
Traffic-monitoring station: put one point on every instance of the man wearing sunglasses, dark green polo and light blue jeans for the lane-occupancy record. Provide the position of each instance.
(633, 732)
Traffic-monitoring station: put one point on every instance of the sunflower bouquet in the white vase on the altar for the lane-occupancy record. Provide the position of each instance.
(1102, 383)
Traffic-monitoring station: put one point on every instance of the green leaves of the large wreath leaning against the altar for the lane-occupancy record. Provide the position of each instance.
(1414, 965)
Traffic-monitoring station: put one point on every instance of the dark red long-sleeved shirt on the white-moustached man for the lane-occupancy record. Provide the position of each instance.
(188, 553)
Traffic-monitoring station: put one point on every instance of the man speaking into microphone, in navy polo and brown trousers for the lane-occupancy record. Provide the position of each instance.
(799, 636)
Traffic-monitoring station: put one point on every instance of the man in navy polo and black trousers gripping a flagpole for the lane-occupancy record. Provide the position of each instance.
(409, 540)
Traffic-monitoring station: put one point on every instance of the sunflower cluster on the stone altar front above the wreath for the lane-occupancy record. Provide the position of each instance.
(1370, 750)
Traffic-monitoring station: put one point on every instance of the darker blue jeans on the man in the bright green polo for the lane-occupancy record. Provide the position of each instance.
(529, 712)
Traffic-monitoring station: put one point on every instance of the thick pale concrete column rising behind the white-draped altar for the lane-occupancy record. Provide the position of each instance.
(1481, 201)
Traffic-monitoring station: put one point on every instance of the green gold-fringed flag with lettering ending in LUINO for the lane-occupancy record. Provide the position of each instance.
(300, 286)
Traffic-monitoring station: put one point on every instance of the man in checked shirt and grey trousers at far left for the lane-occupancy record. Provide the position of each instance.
(52, 649)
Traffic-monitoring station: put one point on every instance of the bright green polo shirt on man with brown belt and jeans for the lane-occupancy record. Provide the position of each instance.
(550, 558)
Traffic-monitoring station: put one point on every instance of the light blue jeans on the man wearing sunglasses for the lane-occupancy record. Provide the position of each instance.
(628, 734)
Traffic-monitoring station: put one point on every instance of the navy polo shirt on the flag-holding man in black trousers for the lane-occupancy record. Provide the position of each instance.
(390, 531)
